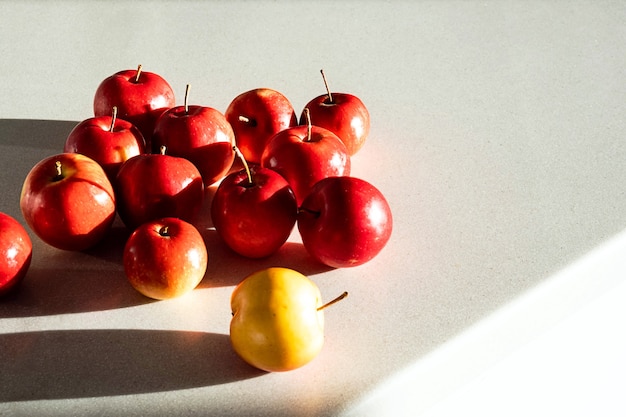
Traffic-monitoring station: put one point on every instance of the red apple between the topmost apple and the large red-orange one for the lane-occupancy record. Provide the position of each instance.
(107, 140)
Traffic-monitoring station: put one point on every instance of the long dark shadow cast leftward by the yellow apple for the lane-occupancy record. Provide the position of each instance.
(64, 364)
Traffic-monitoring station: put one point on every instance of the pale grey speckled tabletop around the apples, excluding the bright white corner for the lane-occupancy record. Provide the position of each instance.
(497, 136)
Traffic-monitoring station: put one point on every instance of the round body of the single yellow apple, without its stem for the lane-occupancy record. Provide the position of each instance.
(276, 325)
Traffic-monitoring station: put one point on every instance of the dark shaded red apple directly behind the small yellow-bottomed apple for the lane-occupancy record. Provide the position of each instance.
(154, 186)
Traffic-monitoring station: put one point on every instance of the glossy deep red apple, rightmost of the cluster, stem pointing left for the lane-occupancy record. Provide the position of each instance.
(344, 222)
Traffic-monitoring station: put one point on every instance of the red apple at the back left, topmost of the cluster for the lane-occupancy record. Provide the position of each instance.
(140, 97)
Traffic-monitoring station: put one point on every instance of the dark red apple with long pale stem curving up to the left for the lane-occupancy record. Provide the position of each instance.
(256, 219)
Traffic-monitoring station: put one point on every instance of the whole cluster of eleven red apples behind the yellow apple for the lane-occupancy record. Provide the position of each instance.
(149, 161)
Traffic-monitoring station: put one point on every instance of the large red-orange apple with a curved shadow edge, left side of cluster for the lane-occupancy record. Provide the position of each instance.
(73, 211)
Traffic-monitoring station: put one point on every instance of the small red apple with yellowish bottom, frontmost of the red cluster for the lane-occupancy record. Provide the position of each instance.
(165, 258)
